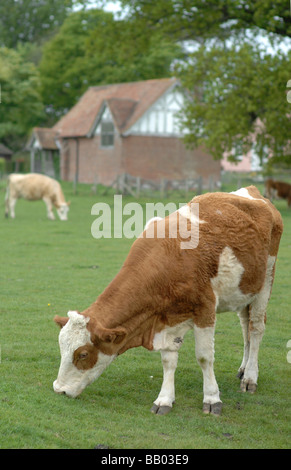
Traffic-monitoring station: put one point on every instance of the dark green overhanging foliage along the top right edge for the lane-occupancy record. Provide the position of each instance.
(192, 19)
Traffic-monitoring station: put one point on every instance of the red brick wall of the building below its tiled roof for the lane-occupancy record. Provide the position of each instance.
(148, 157)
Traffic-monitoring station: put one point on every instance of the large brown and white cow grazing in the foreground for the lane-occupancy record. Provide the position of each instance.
(162, 291)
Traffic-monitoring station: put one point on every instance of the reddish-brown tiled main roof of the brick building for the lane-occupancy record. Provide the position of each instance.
(127, 103)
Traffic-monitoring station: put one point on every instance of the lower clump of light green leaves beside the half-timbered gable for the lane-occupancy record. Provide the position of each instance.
(238, 99)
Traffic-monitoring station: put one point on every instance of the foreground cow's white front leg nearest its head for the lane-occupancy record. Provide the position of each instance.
(163, 404)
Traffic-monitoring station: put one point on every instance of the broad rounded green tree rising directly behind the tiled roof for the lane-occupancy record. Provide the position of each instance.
(92, 48)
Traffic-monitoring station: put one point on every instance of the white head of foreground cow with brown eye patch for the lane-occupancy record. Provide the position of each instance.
(81, 361)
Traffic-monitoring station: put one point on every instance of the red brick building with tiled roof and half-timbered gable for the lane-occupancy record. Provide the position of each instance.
(123, 129)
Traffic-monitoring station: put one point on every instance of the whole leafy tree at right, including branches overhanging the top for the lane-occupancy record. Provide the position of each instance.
(236, 93)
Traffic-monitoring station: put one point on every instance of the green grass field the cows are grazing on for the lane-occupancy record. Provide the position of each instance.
(50, 267)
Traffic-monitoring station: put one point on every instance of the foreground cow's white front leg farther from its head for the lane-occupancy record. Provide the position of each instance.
(204, 349)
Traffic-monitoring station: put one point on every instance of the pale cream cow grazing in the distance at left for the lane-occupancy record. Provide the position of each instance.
(33, 187)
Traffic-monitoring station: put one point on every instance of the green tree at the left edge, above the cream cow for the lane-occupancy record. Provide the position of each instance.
(21, 107)
